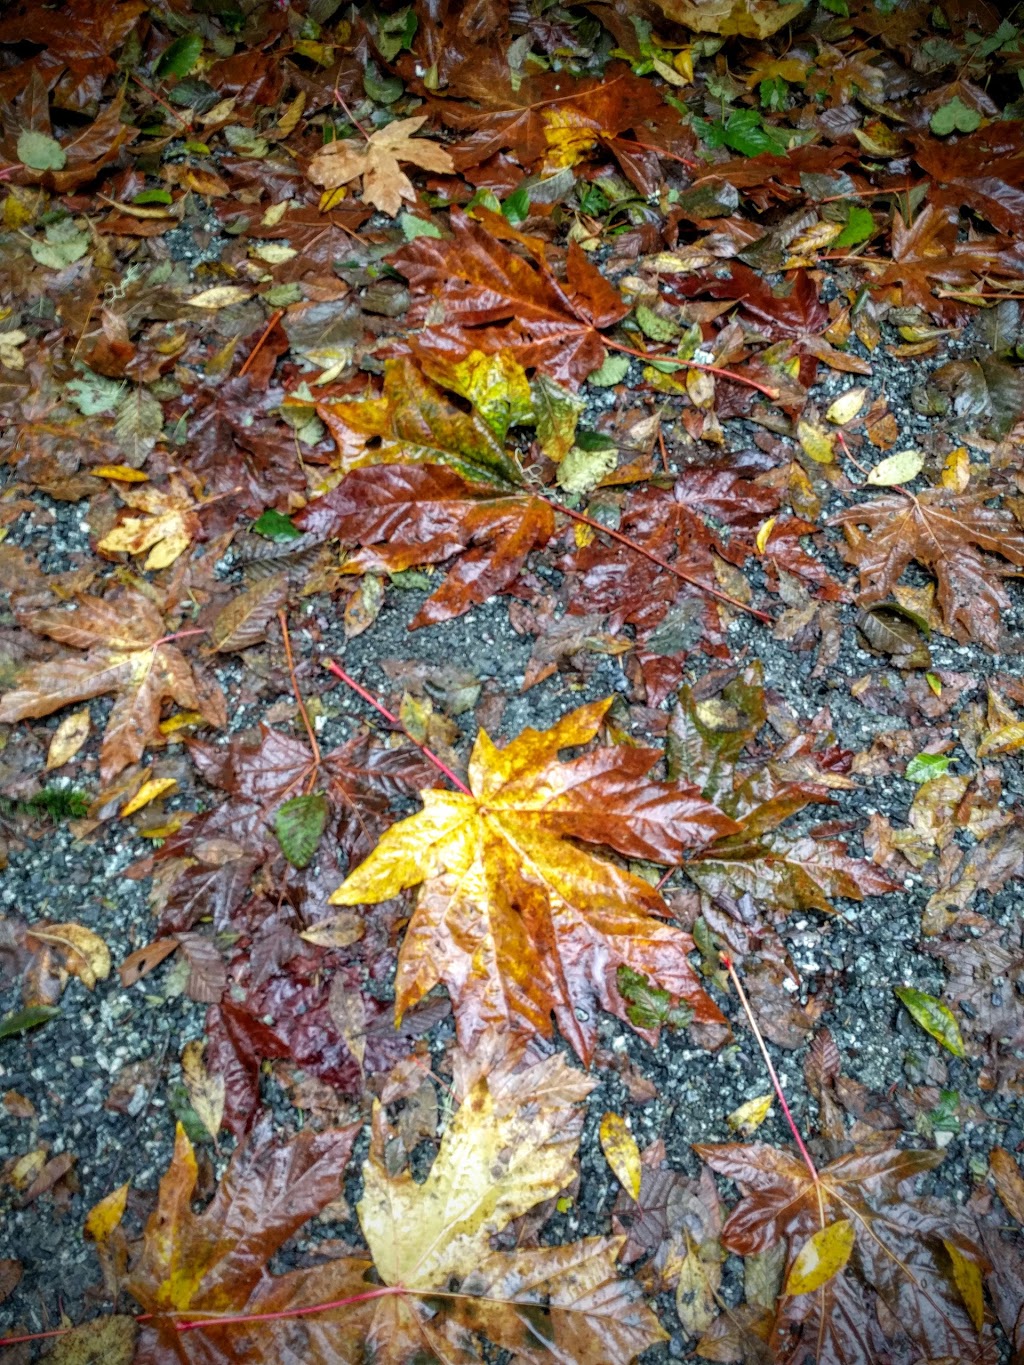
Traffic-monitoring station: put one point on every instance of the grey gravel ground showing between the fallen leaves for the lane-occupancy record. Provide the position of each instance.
(68, 1068)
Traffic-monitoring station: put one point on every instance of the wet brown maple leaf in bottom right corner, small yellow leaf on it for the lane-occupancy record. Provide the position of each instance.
(915, 1256)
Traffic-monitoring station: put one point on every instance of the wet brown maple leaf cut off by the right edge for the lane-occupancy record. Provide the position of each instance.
(952, 534)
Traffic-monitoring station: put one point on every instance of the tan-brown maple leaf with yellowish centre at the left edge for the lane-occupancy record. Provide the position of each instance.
(128, 655)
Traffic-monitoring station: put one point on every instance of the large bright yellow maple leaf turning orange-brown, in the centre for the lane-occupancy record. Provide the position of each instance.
(517, 922)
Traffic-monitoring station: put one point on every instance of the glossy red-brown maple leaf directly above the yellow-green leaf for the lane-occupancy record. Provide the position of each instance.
(476, 282)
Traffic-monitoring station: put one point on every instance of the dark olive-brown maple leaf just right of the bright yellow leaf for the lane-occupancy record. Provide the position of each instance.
(705, 746)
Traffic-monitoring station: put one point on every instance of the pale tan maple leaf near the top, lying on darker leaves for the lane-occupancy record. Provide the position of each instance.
(376, 160)
